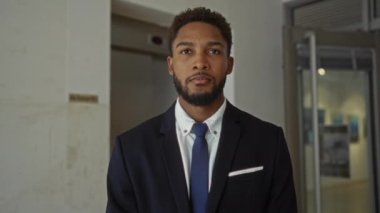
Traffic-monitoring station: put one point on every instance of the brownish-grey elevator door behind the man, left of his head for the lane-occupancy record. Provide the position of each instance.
(141, 87)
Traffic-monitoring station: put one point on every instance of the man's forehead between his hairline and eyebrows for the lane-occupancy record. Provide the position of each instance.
(198, 31)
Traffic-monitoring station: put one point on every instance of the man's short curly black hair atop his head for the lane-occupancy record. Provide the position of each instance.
(200, 14)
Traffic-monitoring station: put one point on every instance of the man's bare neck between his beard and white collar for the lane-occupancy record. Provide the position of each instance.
(201, 113)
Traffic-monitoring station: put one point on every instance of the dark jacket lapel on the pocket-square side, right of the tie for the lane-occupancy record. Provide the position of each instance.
(226, 151)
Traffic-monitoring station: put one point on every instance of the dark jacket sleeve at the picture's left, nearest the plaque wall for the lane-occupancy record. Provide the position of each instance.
(121, 196)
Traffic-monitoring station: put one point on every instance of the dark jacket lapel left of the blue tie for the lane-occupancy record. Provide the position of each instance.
(173, 160)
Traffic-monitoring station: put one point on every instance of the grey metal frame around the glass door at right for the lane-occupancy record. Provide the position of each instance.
(292, 94)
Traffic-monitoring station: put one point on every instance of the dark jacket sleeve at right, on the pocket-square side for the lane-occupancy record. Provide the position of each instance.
(282, 196)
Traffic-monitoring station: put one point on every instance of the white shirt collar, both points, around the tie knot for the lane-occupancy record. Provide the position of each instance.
(185, 122)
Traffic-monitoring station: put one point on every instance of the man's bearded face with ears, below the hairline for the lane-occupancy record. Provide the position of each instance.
(199, 64)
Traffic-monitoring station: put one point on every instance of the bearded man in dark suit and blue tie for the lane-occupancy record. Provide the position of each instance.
(203, 154)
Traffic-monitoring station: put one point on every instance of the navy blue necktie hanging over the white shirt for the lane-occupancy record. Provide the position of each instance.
(199, 170)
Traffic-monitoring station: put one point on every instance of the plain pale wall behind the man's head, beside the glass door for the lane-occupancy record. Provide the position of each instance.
(258, 50)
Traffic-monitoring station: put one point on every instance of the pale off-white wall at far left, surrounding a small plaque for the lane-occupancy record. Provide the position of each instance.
(53, 154)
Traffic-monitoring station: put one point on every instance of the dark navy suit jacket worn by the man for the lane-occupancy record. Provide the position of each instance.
(146, 173)
